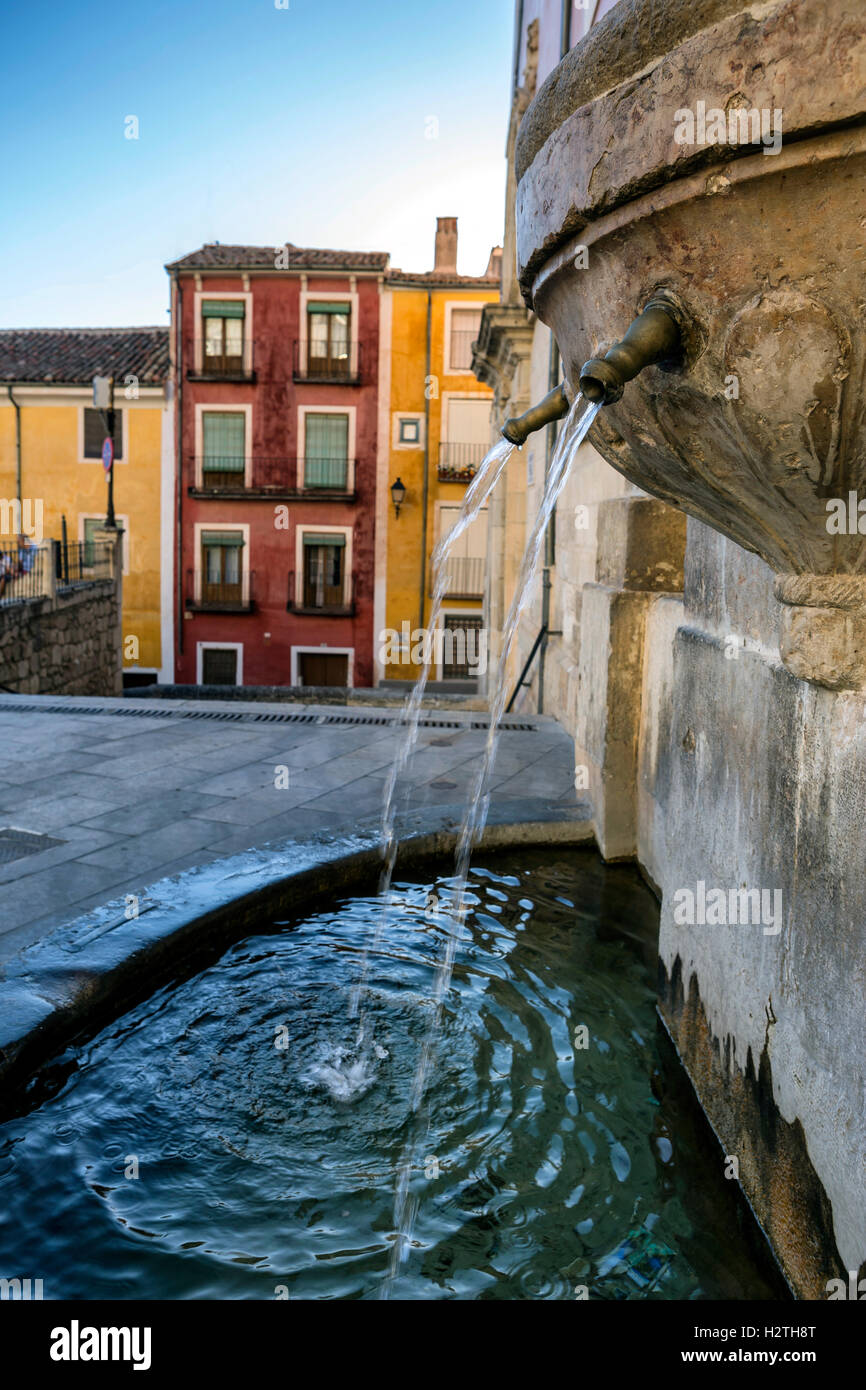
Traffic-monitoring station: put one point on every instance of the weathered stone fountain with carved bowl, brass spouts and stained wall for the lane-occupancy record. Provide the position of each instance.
(692, 218)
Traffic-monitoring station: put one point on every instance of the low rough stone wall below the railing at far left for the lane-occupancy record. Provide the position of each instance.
(69, 644)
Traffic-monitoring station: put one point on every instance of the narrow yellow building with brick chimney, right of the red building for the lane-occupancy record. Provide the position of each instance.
(439, 432)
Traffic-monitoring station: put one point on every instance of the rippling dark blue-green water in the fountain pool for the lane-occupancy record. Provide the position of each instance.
(266, 1140)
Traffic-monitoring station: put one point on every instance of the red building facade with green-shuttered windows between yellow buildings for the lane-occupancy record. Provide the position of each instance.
(276, 358)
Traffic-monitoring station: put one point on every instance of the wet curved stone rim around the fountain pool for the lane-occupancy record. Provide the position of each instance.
(84, 975)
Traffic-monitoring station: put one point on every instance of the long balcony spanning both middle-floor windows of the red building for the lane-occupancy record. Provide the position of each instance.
(273, 476)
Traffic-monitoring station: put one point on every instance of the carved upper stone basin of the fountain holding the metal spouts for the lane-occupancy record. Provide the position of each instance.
(761, 433)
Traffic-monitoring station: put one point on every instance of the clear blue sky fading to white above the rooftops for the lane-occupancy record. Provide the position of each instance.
(326, 124)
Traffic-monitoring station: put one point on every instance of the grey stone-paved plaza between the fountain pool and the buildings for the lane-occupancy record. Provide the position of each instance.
(134, 792)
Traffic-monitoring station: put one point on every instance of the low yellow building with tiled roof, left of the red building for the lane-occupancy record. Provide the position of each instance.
(51, 462)
